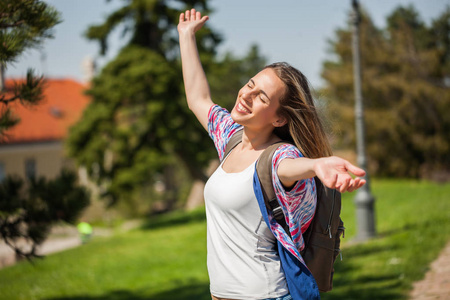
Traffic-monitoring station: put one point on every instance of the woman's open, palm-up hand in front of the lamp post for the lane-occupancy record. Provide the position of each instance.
(334, 172)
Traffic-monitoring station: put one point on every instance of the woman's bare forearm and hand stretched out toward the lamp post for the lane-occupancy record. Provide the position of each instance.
(333, 171)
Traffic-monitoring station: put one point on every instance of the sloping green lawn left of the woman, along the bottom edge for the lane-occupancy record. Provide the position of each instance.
(154, 263)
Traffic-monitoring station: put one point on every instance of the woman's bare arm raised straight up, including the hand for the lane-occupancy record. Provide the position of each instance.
(195, 83)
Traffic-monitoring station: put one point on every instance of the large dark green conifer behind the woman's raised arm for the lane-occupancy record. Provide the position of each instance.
(138, 129)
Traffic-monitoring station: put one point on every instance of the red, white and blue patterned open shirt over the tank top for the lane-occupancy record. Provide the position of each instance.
(298, 204)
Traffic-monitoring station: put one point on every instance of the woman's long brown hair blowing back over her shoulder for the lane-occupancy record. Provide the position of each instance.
(303, 127)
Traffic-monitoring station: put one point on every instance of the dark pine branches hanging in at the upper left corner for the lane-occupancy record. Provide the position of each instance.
(24, 24)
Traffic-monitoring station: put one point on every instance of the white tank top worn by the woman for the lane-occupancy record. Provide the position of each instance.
(242, 259)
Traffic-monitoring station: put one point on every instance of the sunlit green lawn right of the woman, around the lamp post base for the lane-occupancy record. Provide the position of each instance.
(413, 225)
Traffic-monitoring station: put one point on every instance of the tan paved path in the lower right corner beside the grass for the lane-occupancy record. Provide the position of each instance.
(436, 284)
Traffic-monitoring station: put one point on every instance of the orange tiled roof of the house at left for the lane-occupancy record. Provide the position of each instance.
(63, 104)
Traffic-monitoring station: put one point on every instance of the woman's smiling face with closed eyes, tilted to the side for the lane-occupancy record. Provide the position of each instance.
(258, 101)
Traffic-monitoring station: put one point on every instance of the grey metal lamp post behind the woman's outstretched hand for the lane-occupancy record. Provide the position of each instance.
(364, 201)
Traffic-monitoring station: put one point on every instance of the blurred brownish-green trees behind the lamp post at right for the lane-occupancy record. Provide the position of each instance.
(406, 92)
